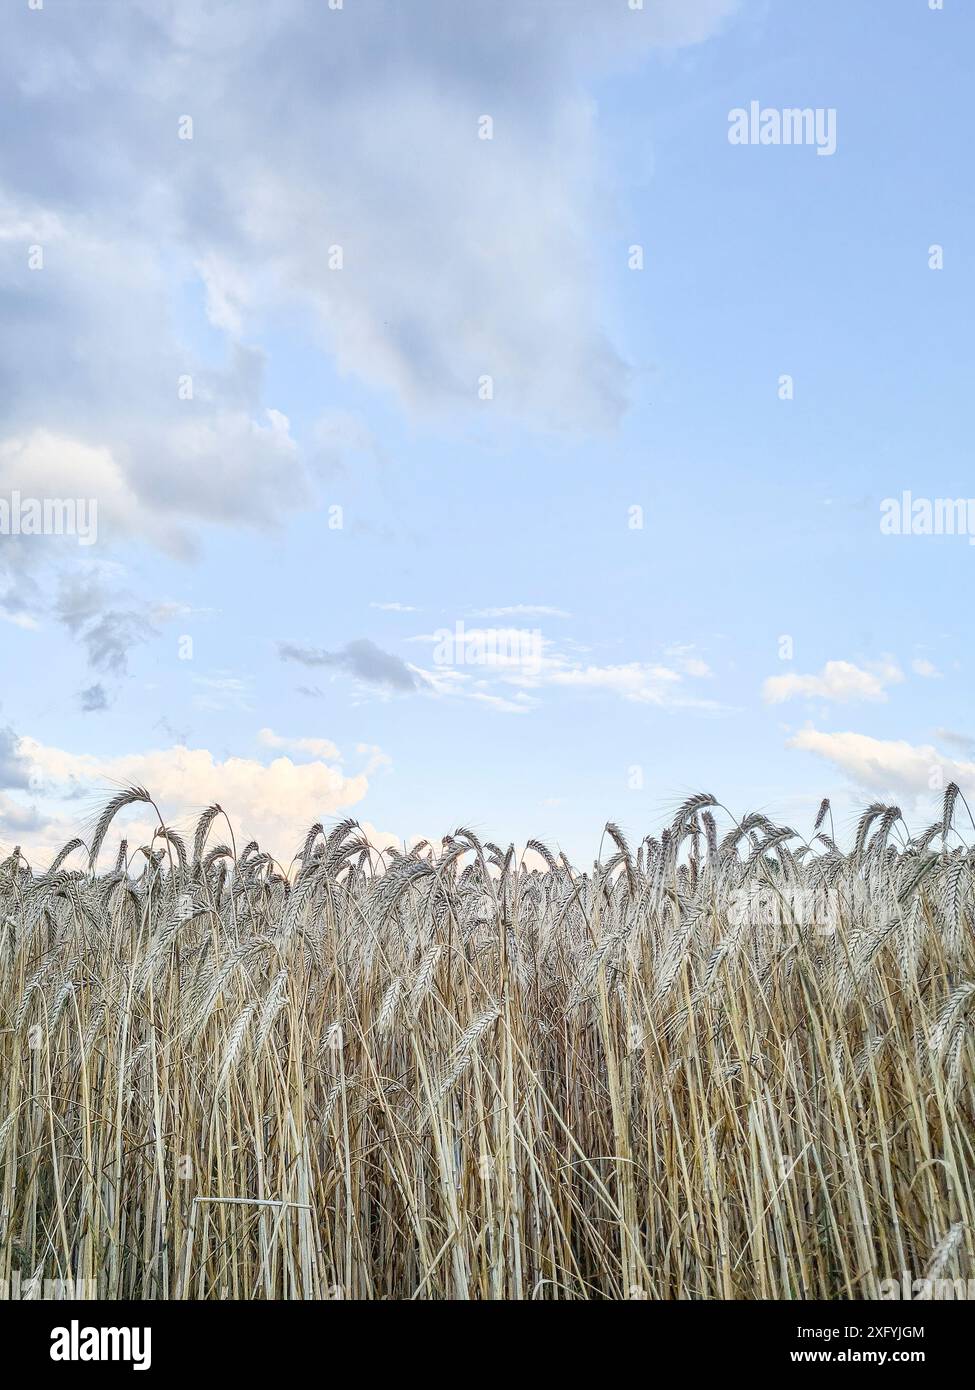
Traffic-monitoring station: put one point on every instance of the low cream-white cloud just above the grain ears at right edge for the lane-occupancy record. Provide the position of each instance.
(887, 765)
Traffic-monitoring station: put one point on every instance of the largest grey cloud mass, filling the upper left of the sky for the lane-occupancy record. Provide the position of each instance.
(311, 129)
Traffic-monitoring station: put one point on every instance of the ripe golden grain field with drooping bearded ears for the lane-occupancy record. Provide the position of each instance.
(720, 1067)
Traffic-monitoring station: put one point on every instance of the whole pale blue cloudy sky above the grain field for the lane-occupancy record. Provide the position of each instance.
(465, 429)
